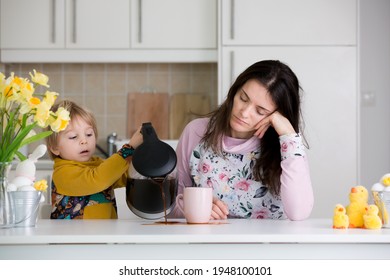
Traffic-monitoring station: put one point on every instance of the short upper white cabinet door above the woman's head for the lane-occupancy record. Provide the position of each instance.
(286, 22)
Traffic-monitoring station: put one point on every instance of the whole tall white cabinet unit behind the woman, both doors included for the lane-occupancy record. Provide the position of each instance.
(326, 65)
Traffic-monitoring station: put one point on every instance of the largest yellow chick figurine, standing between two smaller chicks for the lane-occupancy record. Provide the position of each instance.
(358, 202)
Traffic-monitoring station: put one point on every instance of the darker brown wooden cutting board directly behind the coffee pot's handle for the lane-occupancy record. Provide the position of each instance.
(148, 107)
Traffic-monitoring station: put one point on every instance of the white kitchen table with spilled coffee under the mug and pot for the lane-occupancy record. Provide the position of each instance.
(230, 239)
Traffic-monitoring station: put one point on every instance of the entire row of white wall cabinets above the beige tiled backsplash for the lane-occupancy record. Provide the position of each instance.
(117, 31)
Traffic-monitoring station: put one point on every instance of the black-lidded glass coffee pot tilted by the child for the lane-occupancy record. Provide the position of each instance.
(153, 196)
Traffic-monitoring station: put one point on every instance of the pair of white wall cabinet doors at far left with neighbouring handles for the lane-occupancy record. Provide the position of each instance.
(65, 24)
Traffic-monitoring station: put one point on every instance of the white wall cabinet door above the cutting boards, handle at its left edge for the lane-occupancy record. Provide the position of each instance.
(178, 24)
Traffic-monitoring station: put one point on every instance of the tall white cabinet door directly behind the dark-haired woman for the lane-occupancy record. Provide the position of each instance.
(328, 77)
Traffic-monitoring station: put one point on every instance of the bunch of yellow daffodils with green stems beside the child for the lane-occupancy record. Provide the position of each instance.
(22, 110)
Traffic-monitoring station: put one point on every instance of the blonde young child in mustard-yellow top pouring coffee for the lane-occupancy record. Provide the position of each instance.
(83, 184)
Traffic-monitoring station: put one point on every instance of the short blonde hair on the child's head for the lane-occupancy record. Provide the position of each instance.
(74, 111)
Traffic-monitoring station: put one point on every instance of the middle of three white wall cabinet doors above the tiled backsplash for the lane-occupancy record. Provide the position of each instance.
(98, 24)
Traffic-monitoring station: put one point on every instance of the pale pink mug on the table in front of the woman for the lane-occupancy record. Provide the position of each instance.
(196, 204)
